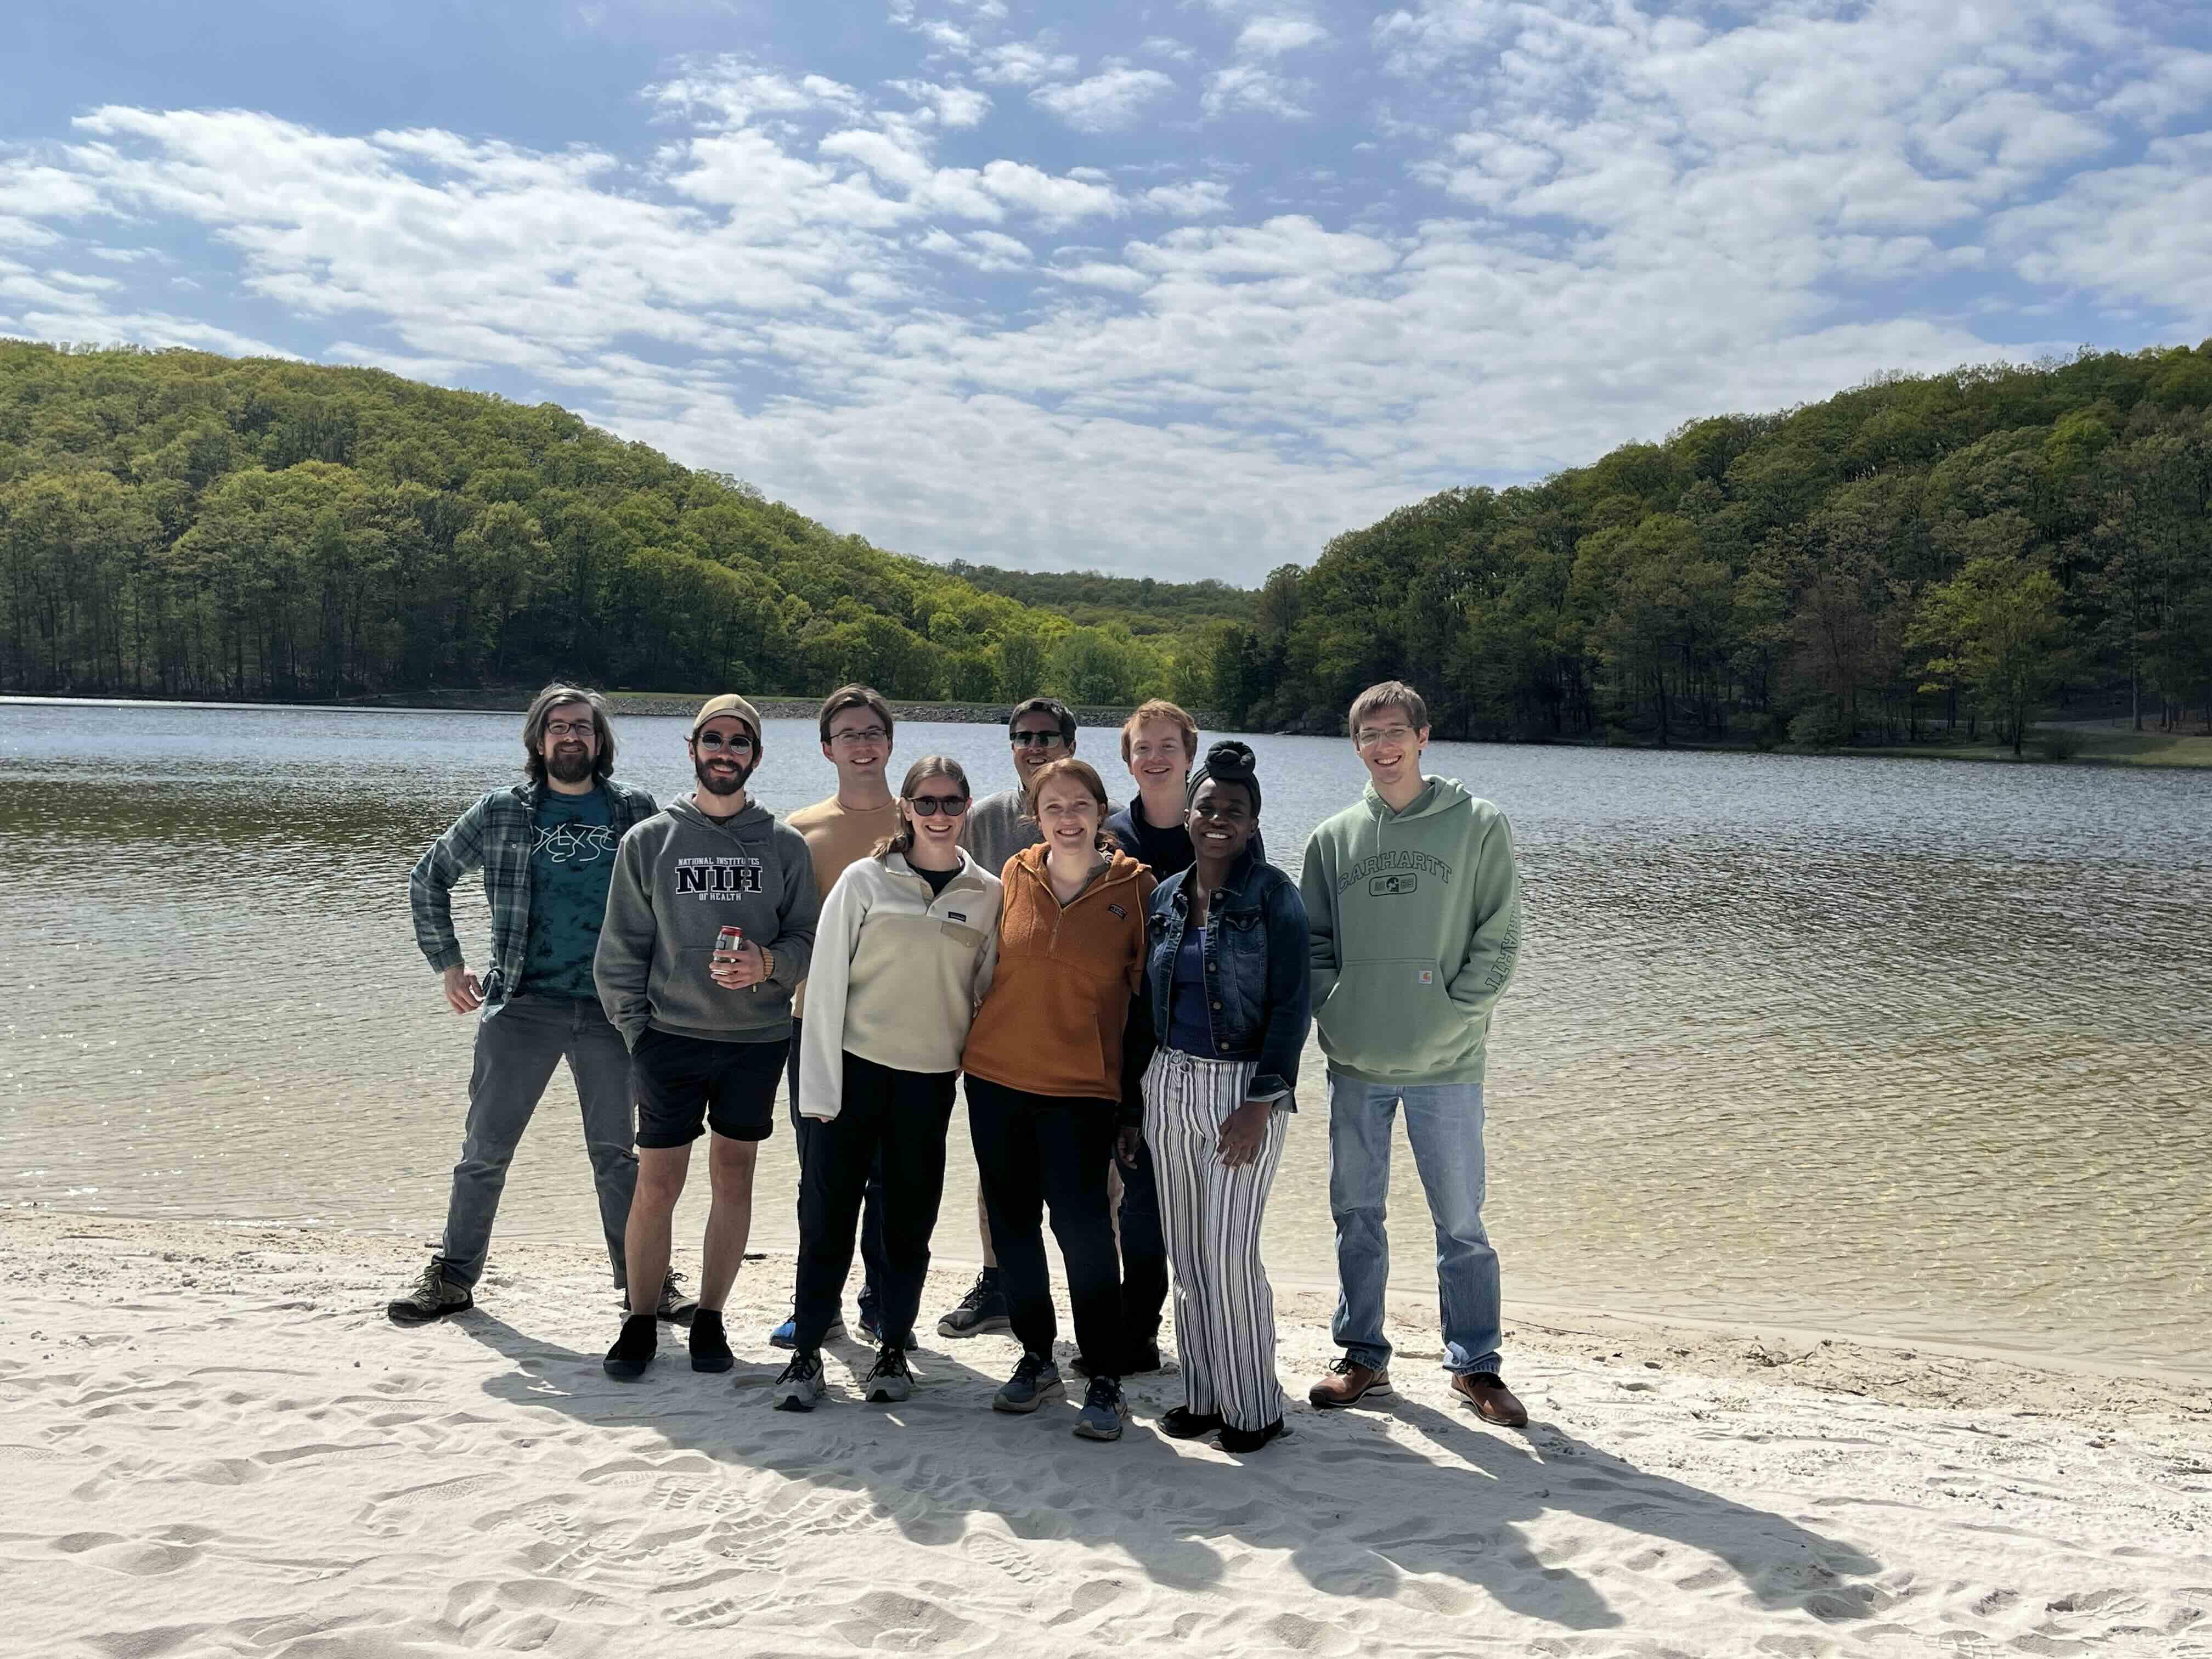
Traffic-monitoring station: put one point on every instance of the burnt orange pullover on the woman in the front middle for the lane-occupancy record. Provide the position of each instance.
(1054, 1019)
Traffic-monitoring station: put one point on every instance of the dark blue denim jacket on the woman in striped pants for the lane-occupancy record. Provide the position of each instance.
(1258, 974)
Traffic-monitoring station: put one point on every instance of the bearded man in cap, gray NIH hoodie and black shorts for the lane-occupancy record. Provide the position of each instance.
(709, 1027)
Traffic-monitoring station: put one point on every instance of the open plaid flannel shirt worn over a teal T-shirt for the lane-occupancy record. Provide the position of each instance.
(497, 837)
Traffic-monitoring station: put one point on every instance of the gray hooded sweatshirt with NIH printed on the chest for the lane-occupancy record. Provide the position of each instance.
(680, 879)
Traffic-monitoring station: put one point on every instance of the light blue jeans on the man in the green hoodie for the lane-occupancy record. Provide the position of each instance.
(1446, 1129)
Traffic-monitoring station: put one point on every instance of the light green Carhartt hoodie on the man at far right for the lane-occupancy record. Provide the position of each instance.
(1415, 930)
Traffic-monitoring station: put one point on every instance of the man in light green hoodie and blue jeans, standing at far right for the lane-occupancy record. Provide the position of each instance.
(1415, 912)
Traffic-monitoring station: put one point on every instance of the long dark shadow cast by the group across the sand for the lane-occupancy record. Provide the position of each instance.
(1348, 1505)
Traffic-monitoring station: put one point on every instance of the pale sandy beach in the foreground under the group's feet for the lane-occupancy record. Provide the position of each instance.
(213, 1443)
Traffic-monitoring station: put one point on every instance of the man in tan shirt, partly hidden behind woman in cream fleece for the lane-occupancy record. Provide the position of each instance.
(857, 740)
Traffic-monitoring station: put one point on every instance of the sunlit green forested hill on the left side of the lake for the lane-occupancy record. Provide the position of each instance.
(189, 525)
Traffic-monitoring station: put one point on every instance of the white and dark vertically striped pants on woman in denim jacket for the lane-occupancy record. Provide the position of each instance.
(1224, 1308)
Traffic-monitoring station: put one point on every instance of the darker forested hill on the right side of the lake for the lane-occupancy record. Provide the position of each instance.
(1950, 547)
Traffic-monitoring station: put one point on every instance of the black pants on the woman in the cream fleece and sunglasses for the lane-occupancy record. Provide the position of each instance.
(893, 1123)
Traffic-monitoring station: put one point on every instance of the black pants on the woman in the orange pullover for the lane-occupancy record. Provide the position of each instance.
(1039, 1151)
